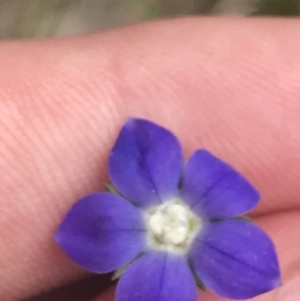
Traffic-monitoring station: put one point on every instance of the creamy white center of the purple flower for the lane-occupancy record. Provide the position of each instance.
(172, 226)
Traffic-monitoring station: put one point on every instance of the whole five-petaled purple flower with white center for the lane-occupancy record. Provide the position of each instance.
(170, 224)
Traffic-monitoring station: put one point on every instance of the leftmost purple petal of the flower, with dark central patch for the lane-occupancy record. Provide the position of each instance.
(102, 232)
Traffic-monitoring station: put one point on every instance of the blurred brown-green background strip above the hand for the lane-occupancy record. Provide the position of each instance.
(46, 18)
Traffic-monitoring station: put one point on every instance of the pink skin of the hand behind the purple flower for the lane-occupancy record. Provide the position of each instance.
(229, 85)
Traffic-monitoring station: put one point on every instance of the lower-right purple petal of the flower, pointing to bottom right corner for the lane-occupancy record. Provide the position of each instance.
(235, 259)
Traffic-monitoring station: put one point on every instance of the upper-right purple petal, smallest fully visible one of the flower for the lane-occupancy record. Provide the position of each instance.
(214, 189)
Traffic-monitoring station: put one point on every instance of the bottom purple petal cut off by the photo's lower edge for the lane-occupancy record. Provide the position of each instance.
(158, 276)
